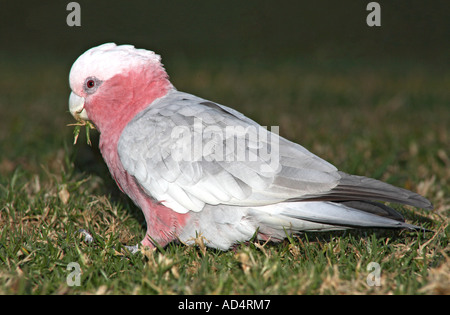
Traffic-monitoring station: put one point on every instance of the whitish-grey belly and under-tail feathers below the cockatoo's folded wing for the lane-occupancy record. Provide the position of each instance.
(223, 225)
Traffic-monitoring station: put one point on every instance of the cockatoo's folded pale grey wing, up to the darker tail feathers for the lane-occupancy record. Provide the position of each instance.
(186, 152)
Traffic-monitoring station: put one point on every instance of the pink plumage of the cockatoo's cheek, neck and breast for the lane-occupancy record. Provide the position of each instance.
(111, 111)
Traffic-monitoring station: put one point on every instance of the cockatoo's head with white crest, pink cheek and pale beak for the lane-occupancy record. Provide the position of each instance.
(110, 84)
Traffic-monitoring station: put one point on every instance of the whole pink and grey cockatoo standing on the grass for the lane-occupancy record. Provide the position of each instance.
(196, 167)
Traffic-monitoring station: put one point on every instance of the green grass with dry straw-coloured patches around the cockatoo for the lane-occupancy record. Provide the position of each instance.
(388, 121)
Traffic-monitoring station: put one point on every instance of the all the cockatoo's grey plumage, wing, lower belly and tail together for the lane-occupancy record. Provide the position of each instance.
(228, 199)
